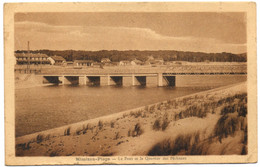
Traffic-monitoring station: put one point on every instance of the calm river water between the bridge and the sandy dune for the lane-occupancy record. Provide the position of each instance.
(42, 108)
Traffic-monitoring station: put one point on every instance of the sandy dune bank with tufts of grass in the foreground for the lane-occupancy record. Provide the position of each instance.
(194, 119)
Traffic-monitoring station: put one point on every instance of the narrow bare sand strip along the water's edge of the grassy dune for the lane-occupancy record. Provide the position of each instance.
(58, 131)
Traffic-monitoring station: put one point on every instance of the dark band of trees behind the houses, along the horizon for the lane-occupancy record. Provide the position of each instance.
(166, 55)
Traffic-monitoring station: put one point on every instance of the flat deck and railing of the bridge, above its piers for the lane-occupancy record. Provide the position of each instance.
(145, 70)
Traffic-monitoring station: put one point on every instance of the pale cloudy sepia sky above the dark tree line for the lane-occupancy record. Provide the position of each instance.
(190, 31)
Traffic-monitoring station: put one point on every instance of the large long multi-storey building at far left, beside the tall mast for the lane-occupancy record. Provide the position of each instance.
(31, 58)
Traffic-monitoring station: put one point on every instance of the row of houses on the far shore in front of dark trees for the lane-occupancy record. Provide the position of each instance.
(38, 59)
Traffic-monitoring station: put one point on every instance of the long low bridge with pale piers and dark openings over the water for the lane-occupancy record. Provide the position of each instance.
(133, 75)
